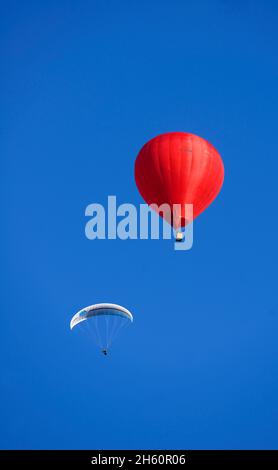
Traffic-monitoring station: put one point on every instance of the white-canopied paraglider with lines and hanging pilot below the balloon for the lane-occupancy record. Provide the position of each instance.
(103, 322)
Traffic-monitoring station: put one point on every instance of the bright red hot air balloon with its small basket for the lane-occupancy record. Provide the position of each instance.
(178, 168)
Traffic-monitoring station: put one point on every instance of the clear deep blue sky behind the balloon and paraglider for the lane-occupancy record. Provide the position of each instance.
(83, 86)
